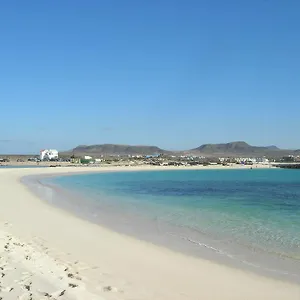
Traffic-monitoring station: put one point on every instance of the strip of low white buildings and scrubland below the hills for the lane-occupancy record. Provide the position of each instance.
(52, 157)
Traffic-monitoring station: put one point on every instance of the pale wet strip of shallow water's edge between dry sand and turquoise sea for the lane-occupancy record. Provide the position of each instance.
(188, 242)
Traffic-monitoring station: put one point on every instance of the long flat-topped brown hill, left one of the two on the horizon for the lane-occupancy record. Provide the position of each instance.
(113, 149)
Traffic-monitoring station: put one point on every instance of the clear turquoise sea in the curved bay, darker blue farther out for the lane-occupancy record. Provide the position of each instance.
(246, 216)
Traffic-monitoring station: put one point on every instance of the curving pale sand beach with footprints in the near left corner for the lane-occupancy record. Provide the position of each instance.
(47, 253)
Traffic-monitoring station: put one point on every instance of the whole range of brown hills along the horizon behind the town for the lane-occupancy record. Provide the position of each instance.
(238, 148)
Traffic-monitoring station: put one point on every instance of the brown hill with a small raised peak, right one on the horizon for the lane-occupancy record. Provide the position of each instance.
(239, 148)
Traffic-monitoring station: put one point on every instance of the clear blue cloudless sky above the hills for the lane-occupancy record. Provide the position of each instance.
(170, 73)
